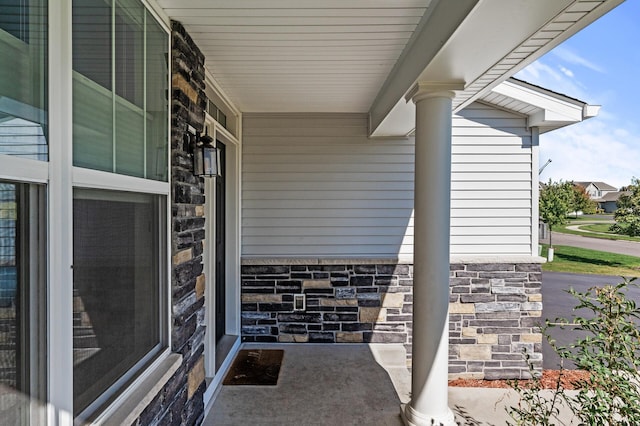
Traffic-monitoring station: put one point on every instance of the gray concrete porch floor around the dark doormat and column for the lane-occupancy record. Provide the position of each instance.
(359, 384)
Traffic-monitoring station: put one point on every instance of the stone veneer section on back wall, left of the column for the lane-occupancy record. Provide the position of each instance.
(344, 303)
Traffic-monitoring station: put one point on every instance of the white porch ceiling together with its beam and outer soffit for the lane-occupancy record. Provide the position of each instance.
(365, 55)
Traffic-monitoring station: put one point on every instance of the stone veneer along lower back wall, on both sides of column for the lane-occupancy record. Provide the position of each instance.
(494, 309)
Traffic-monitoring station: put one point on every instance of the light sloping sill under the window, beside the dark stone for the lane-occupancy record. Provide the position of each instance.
(131, 403)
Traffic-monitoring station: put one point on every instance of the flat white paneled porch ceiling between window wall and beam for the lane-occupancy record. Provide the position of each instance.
(300, 55)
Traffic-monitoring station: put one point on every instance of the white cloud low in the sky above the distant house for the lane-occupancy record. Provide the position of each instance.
(592, 150)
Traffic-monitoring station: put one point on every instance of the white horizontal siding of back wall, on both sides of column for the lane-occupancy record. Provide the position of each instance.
(316, 186)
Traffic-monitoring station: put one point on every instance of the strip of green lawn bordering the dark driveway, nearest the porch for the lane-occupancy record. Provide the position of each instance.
(584, 261)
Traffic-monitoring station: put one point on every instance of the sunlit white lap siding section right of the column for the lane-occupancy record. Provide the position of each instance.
(491, 183)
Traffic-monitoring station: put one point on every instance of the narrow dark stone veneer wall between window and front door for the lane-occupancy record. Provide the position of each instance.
(181, 401)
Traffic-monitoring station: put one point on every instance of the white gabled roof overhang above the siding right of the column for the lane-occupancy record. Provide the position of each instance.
(544, 109)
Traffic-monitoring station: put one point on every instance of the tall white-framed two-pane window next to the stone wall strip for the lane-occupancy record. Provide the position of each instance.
(120, 126)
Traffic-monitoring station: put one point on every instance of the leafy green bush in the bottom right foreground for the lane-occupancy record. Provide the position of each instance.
(609, 352)
